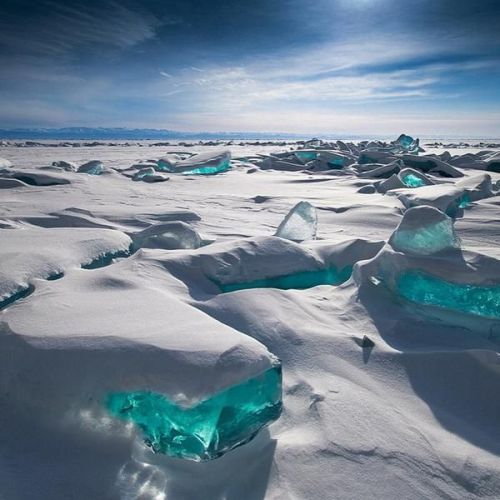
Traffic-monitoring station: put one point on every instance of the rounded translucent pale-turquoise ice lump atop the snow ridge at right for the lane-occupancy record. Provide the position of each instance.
(423, 231)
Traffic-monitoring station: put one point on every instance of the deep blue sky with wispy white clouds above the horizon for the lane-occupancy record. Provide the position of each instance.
(380, 67)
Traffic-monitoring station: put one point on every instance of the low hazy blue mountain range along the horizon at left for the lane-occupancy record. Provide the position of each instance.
(88, 133)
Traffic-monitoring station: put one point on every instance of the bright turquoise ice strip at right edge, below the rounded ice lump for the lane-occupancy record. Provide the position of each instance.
(426, 289)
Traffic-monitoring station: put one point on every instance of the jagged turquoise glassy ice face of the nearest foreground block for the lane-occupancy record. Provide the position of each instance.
(209, 428)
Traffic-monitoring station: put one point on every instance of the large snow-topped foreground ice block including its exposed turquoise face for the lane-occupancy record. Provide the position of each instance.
(229, 385)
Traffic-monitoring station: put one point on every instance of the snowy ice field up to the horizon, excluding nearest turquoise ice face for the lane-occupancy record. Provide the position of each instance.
(411, 411)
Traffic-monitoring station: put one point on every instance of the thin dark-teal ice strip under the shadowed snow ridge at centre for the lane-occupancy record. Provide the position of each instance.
(299, 281)
